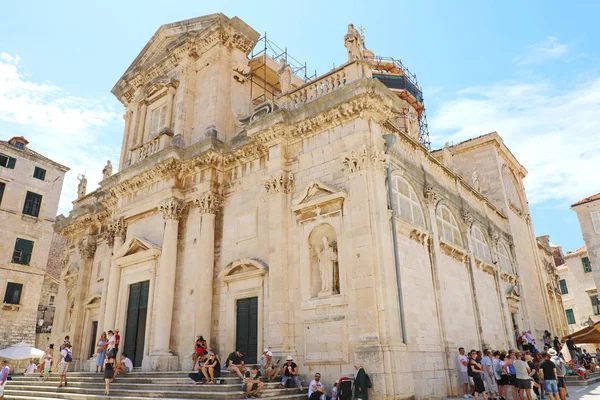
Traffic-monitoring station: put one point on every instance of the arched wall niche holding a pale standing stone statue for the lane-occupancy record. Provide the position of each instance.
(325, 274)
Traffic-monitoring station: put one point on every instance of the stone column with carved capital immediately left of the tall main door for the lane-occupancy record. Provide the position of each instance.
(118, 230)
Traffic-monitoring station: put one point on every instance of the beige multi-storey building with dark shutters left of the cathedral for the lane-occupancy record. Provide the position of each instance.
(30, 188)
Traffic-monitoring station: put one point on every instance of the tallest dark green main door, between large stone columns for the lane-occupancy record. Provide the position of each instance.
(135, 326)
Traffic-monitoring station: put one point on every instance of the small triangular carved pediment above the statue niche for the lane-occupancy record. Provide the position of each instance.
(318, 199)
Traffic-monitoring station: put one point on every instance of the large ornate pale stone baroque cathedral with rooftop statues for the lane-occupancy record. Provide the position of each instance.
(267, 223)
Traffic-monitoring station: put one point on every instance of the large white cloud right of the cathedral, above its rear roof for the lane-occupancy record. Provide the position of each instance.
(556, 136)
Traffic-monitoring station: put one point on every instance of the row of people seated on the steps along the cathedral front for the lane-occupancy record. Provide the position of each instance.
(207, 371)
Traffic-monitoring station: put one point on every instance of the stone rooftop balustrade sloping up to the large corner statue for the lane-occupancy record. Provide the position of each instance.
(325, 84)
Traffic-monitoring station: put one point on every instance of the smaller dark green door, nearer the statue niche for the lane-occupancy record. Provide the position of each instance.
(246, 338)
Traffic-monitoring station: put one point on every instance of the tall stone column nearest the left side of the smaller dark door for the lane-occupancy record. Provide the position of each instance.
(208, 205)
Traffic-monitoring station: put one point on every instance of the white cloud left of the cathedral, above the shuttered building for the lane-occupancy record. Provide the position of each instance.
(68, 129)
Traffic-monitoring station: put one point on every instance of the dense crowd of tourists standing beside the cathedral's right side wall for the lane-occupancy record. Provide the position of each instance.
(494, 374)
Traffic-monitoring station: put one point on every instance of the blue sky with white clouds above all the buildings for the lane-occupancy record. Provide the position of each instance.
(528, 70)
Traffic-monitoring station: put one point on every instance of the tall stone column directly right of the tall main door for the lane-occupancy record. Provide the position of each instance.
(160, 356)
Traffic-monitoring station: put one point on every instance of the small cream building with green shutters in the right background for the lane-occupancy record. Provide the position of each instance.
(579, 291)
